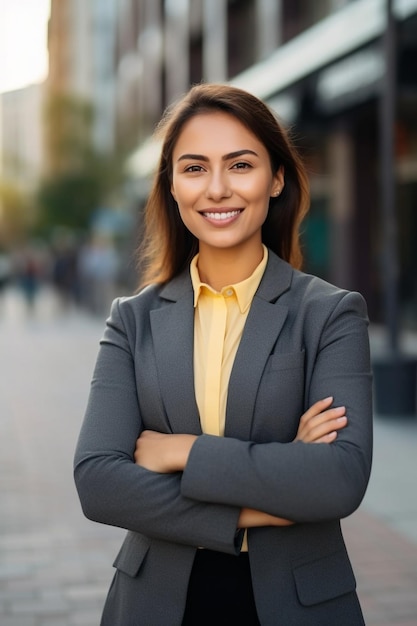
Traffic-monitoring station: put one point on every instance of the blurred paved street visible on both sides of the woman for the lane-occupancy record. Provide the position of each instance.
(55, 566)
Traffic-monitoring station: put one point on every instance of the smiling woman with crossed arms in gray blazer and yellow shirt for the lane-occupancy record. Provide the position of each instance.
(213, 383)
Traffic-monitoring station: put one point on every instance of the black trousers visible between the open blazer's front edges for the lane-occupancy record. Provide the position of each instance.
(220, 591)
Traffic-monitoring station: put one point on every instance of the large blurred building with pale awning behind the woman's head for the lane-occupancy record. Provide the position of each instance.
(321, 65)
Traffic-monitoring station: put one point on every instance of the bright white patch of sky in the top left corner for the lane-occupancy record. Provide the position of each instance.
(23, 42)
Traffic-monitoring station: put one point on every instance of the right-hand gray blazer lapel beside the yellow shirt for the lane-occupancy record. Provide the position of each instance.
(263, 326)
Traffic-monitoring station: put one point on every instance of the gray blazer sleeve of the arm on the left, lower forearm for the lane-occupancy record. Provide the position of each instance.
(112, 488)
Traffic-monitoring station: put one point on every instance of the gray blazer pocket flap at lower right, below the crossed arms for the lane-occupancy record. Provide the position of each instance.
(324, 578)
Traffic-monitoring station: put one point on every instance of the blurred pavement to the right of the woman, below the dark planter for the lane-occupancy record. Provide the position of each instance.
(382, 535)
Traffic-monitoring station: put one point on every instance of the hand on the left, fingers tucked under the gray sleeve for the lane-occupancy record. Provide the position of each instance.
(159, 452)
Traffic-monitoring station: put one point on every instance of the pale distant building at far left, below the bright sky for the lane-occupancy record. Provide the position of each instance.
(21, 141)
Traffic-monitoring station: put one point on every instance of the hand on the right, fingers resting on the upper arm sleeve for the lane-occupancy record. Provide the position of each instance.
(320, 424)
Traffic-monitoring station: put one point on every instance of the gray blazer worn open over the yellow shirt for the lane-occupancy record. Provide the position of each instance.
(303, 340)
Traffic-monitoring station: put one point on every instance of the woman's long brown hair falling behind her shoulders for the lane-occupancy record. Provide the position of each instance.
(168, 246)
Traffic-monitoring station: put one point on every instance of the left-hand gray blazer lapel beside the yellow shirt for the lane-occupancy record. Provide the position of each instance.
(172, 333)
